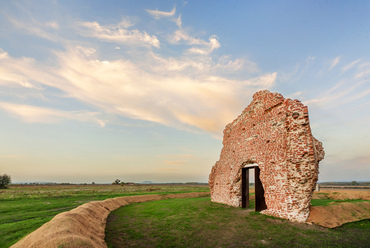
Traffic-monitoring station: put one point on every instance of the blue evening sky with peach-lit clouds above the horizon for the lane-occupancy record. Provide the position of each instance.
(93, 91)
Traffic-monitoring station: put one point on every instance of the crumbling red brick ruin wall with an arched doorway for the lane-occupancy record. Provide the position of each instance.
(273, 132)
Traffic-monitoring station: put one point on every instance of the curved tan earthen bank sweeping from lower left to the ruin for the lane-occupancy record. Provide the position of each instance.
(84, 226)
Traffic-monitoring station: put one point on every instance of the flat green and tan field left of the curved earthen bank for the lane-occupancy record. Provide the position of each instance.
(25, 208)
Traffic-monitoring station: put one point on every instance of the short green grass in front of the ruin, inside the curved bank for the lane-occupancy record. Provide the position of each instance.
(197, 222)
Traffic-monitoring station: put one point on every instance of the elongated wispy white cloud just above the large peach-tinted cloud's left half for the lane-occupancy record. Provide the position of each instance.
(118, 33)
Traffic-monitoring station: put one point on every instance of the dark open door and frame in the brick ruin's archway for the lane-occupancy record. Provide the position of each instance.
(260, 203)
